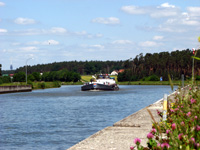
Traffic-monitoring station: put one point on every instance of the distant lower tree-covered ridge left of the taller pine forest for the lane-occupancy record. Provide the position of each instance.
(81, 67)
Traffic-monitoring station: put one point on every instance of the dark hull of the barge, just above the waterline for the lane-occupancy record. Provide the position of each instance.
(97, 86)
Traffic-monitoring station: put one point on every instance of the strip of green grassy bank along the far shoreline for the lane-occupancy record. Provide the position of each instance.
(86, 78)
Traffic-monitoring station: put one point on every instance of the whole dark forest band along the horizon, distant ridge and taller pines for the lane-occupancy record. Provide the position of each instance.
(141, 67)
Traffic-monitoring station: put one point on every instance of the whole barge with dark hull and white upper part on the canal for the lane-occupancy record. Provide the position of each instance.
(102, 82)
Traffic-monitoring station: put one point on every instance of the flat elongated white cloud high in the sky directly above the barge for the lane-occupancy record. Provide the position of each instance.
(110, 20)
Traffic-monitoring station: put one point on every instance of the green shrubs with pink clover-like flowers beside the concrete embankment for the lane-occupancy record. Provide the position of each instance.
(181, 130)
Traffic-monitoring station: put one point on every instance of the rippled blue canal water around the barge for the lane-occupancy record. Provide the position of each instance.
(56, 119)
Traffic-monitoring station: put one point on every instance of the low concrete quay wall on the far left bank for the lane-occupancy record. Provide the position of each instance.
(13, 89)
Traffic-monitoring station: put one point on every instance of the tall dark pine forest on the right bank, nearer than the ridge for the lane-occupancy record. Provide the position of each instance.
(156, 65)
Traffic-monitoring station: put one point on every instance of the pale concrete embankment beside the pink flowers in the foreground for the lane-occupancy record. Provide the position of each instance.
(120, 136)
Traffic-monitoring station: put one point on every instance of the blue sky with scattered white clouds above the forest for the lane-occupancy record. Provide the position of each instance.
(66, 30)
